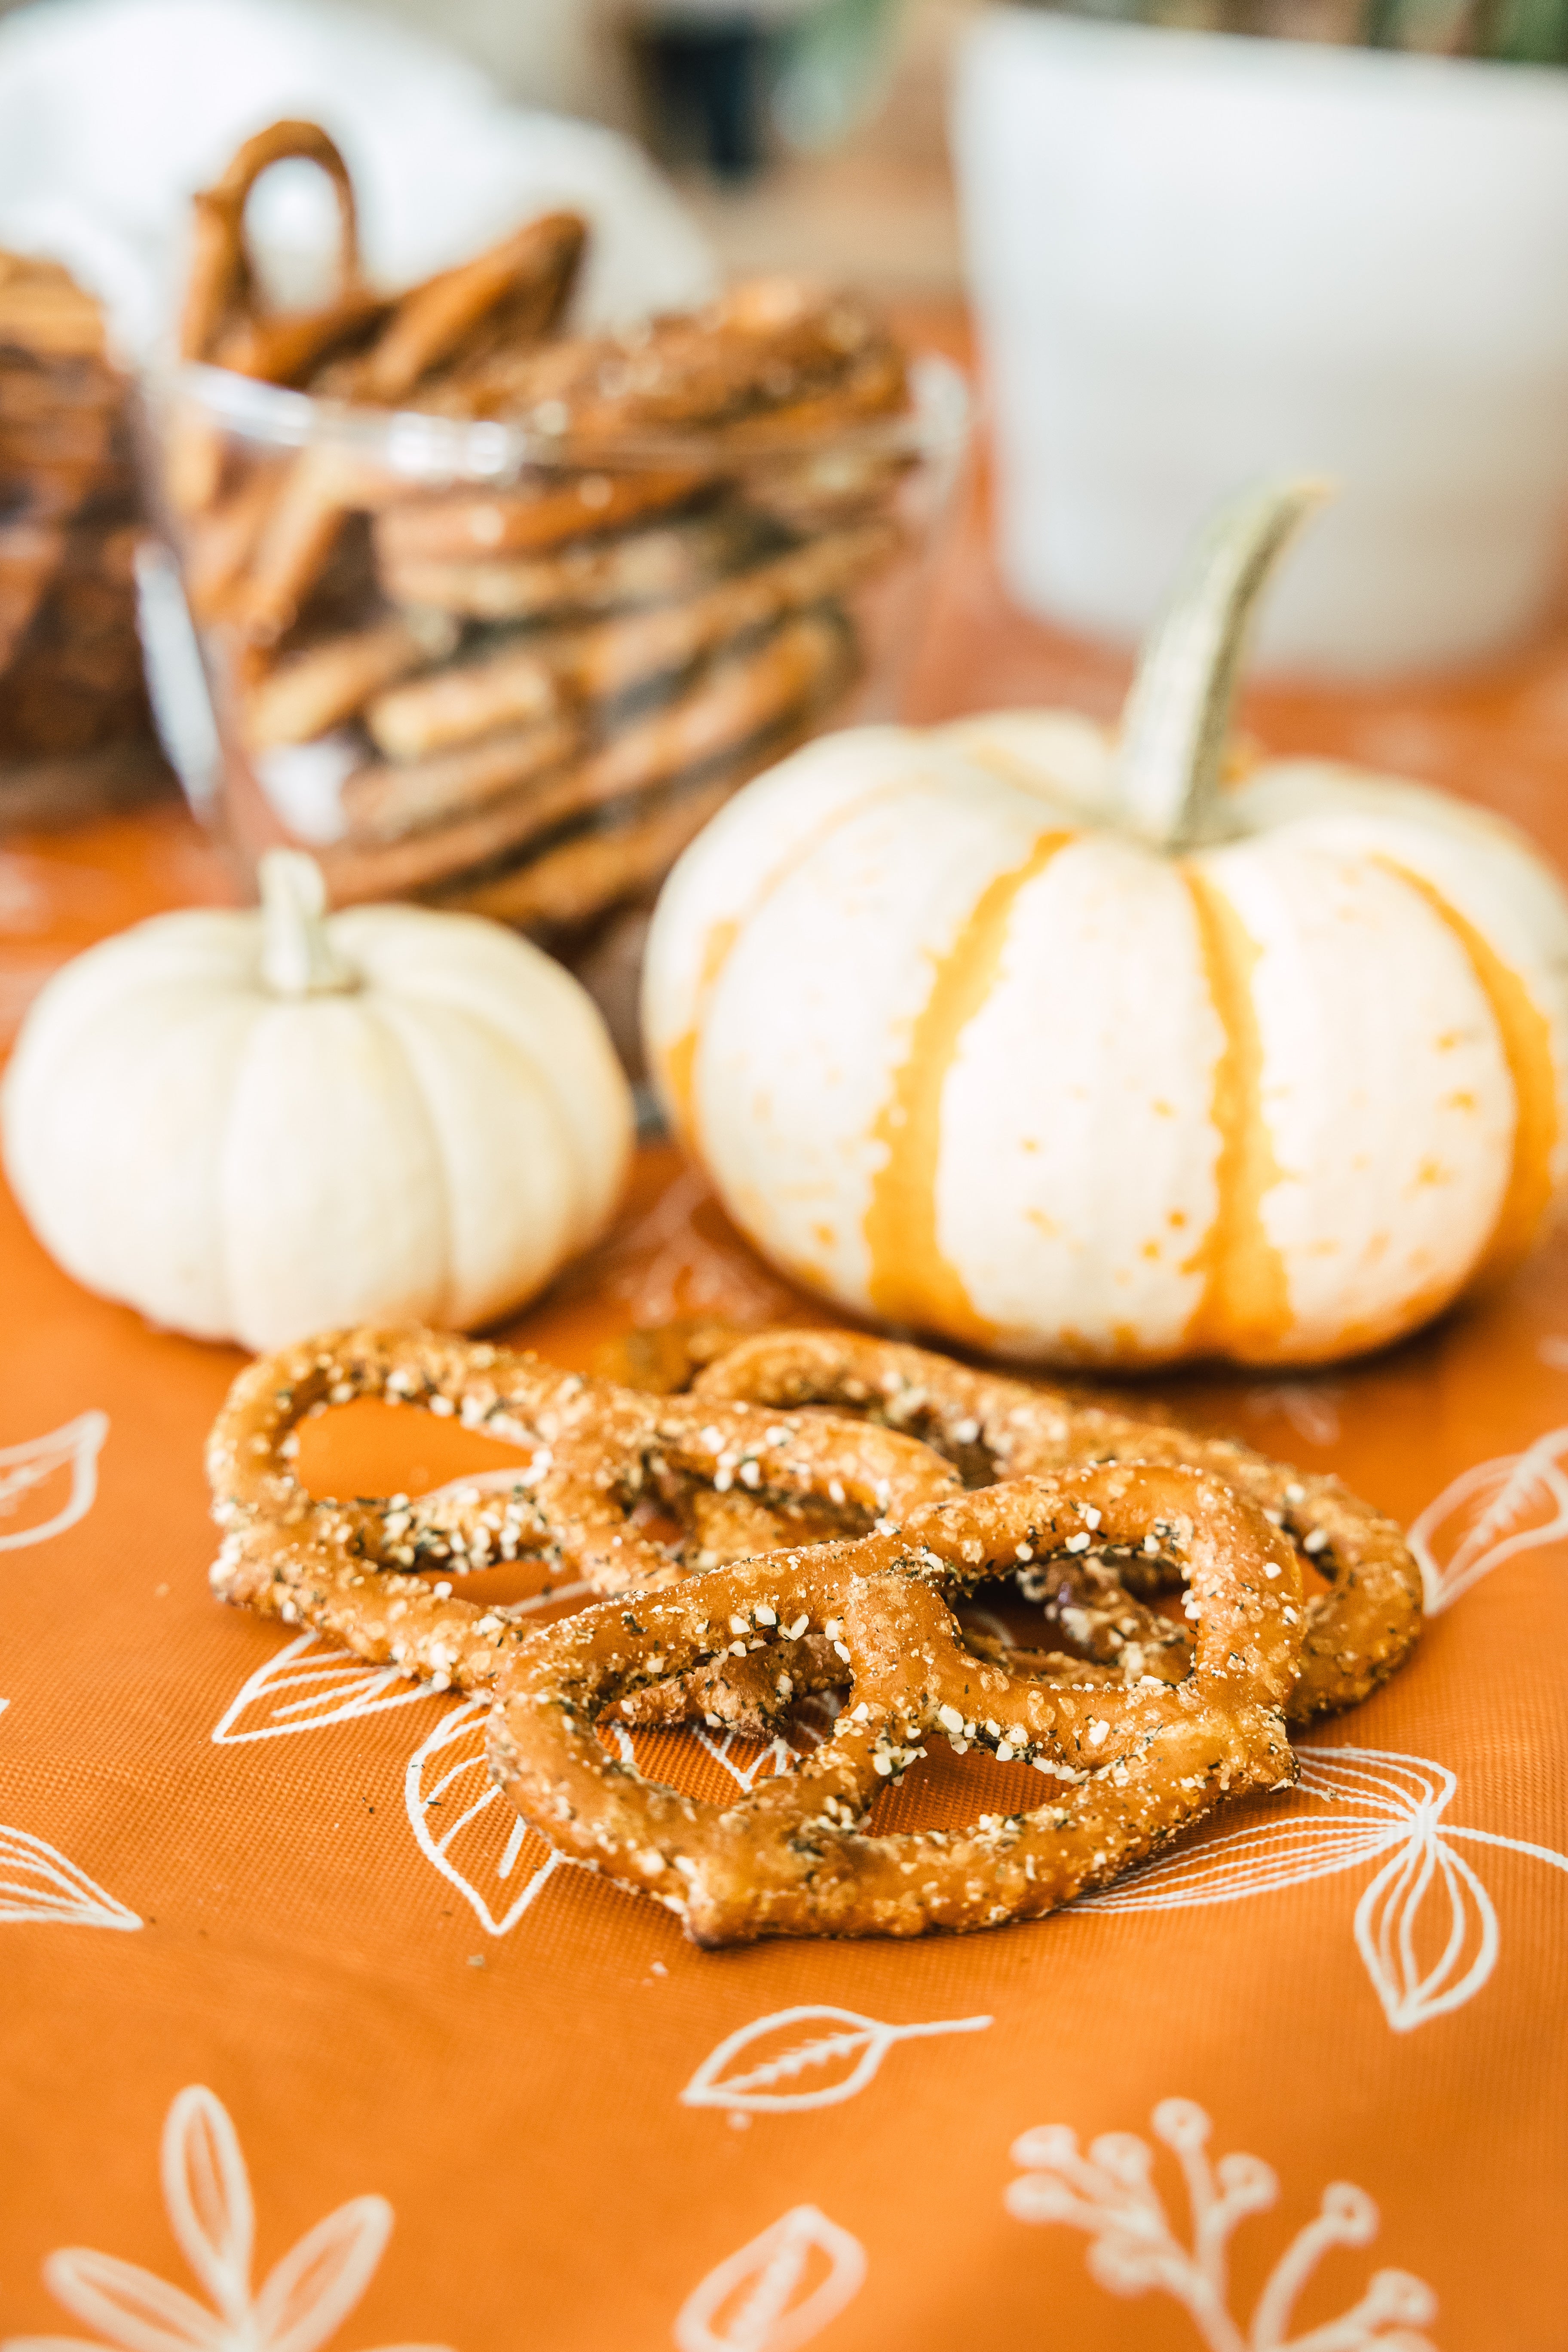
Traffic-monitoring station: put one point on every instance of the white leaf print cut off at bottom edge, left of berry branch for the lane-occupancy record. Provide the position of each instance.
(777, 2292)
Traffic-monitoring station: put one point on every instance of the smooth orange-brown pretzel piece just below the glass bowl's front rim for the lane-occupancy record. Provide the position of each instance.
(540, 514)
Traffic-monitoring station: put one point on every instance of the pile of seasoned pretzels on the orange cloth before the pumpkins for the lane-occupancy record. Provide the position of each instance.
(798, 1518)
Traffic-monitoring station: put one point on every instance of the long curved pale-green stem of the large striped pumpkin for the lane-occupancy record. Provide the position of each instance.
(1177, 719)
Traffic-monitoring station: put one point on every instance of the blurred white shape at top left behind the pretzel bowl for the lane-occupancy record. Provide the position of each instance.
(112, 112)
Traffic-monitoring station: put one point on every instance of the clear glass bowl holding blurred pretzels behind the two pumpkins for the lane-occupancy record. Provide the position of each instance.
(467, 664)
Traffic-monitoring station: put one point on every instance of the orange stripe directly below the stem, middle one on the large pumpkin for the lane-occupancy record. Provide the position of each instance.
(1247, 1299)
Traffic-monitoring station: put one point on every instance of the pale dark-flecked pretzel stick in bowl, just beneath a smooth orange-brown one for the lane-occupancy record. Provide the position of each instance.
(594, 575)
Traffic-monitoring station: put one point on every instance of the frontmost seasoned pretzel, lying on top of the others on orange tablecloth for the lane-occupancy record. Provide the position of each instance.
(796, 1857)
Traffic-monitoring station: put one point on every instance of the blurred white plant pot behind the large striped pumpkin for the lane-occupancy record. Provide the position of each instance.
(1205, 258)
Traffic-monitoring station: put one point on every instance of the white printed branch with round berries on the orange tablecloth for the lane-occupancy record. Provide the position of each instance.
(1111, 2196)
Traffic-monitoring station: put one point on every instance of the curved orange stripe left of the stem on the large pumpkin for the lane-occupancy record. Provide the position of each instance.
(911, 1278)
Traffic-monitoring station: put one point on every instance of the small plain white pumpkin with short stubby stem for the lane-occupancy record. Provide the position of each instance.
(253, 1125)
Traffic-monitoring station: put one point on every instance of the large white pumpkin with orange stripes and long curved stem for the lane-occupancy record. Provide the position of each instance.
(1045, 1041)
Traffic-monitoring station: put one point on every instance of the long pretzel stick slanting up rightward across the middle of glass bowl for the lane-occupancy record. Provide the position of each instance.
(615, 657)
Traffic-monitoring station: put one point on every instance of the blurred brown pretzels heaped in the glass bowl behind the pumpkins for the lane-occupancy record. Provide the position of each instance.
(537, 690)
